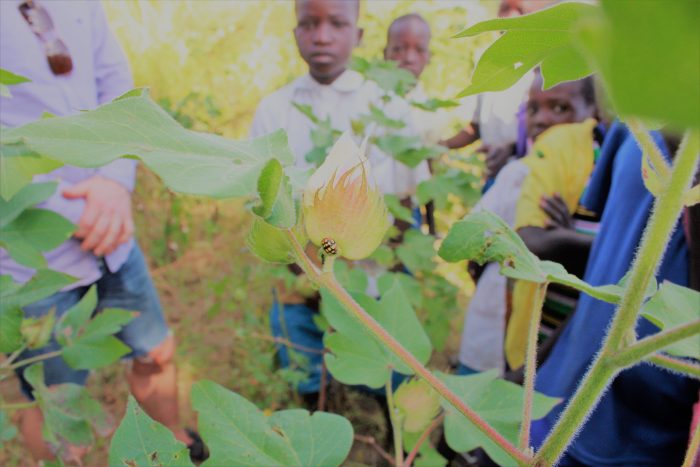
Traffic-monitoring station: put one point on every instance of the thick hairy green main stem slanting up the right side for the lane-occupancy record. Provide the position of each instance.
(661, 223)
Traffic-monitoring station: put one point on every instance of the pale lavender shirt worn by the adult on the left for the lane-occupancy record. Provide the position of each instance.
(100, 73)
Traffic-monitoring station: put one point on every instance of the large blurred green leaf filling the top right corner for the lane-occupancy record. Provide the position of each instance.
(630, 42)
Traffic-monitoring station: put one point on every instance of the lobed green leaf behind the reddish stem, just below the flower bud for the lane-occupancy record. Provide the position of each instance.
(356, 356)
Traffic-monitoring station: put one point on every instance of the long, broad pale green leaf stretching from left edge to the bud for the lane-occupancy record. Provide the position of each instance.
(134, 126)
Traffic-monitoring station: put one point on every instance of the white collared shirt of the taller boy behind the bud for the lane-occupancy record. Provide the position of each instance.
(348, 97)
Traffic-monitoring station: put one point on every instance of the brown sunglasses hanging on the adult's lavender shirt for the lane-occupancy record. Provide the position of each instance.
(42, 26)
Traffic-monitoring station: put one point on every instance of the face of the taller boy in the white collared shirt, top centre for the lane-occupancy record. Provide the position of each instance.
(326, 33)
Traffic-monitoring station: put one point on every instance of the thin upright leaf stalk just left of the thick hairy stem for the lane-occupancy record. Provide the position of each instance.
(531, 365)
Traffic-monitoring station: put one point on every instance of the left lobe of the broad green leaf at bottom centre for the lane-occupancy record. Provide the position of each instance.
(236, 432)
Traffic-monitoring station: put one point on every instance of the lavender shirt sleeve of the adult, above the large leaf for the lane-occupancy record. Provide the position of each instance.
(112, 71)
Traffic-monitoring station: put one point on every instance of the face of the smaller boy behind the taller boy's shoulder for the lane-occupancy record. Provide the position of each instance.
(408, 44)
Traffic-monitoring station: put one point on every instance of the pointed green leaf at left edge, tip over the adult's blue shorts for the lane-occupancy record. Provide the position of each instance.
(43, 284)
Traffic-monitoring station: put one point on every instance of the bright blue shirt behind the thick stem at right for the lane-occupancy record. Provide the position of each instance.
(644, 417)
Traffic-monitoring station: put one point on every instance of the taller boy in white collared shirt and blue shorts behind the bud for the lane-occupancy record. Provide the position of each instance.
(326, 34)
